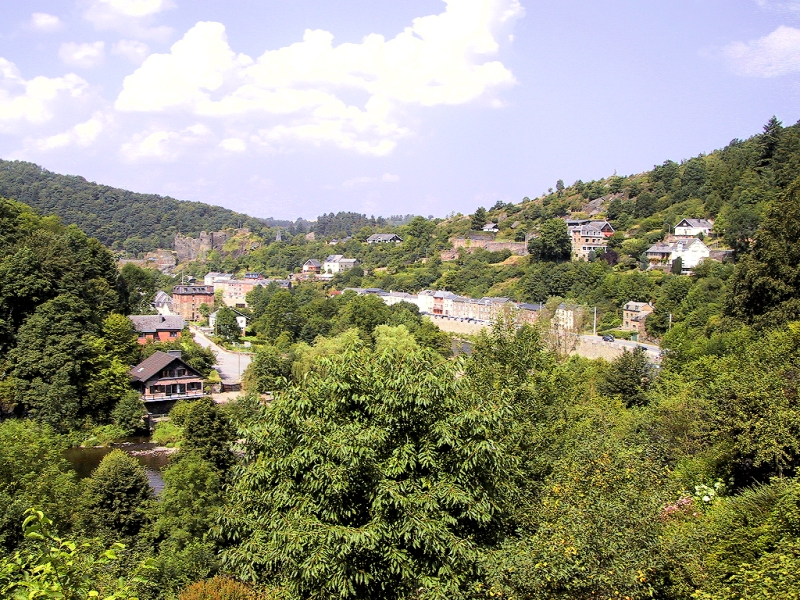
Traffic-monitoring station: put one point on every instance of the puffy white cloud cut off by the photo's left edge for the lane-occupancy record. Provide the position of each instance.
(33, 102)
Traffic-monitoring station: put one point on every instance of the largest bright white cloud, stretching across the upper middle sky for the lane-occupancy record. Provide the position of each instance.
(293, 94)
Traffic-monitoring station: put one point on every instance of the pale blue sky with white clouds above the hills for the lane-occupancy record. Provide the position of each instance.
(384, 107)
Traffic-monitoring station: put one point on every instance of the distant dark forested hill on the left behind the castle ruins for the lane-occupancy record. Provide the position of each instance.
(118, 218)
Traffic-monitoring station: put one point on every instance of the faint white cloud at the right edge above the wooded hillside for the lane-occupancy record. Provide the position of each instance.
(771, 56)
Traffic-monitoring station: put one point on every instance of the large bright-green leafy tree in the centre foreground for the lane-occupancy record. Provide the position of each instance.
(376, 477)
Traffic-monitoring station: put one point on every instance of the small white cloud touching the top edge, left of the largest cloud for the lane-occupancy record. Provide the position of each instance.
(131, 17)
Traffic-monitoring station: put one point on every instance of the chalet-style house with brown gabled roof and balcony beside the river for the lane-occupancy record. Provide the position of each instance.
(163, 378)
